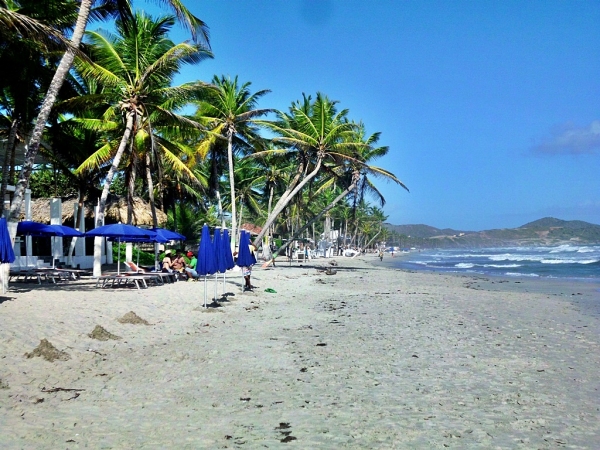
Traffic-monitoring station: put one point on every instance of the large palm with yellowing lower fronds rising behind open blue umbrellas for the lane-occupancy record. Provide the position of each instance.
(135, 68)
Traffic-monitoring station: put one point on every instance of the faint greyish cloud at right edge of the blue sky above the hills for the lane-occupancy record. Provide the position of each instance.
(572, 140)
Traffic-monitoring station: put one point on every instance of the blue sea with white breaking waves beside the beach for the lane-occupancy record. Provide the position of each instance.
(564, 261)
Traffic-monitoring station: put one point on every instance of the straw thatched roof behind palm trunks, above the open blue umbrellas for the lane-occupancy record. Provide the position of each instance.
(116, 211)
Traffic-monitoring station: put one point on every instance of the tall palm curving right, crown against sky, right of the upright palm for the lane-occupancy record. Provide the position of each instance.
(315, 132)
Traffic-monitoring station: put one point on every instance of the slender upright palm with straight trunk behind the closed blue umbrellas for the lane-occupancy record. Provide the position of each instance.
(229, 113)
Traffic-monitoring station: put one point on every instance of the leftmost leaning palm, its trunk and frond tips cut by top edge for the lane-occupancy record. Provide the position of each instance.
(105, 7)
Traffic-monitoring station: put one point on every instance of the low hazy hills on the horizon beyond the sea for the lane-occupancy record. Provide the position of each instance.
(546, 231)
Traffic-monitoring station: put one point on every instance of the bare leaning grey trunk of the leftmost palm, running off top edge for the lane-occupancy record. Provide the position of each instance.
(34, 144)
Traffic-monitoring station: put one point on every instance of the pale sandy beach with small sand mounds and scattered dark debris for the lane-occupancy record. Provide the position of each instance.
(369, 357)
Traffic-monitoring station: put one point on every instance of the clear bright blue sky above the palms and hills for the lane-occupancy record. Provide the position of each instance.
(491, 109)
